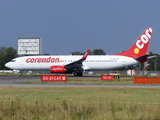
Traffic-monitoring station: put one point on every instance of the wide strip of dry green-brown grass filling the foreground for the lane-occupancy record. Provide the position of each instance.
(79, 104)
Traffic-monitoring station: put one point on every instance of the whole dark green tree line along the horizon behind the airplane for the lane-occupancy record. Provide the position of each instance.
(7, 54)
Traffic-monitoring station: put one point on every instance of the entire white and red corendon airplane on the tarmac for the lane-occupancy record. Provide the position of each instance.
(77, 64)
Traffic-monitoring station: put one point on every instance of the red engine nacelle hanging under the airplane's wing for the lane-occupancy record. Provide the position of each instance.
(57, 69)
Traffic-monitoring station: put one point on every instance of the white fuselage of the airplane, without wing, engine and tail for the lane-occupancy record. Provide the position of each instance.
(93, 62)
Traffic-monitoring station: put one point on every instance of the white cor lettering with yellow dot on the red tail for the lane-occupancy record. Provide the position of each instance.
(143, 39)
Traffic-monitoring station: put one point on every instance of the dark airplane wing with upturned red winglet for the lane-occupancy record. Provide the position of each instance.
(77, 64)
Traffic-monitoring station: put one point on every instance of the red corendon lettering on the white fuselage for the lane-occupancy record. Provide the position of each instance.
(43, 60)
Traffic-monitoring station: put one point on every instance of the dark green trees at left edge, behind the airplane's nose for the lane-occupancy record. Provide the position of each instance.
(6, 55)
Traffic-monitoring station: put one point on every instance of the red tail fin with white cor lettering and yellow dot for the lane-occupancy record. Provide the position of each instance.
(140, 46)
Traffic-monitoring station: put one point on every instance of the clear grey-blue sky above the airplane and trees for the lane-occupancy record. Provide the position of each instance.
(67, 26)
